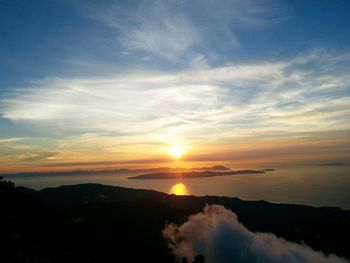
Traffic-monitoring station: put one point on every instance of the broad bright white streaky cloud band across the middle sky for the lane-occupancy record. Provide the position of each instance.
(241, 98)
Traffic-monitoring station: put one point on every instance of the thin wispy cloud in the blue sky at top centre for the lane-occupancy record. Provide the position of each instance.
(184, 30)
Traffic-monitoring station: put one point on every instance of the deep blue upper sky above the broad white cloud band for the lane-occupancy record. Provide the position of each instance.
(44, 38)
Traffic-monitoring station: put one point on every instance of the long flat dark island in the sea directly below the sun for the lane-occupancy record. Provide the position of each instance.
(194, 174)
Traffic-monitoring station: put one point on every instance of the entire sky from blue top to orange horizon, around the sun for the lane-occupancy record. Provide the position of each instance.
(96, 84)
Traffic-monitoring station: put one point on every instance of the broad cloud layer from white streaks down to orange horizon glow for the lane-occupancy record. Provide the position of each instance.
(123, 115)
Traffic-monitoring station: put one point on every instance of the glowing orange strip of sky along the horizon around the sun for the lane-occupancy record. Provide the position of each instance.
(239, 153)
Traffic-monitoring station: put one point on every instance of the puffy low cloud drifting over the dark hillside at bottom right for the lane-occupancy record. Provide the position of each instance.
(217, 234)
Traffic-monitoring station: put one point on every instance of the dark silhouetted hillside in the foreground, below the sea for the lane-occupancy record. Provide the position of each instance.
(98, 223)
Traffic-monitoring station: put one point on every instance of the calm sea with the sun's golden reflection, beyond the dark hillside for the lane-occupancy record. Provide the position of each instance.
(310, 185)
